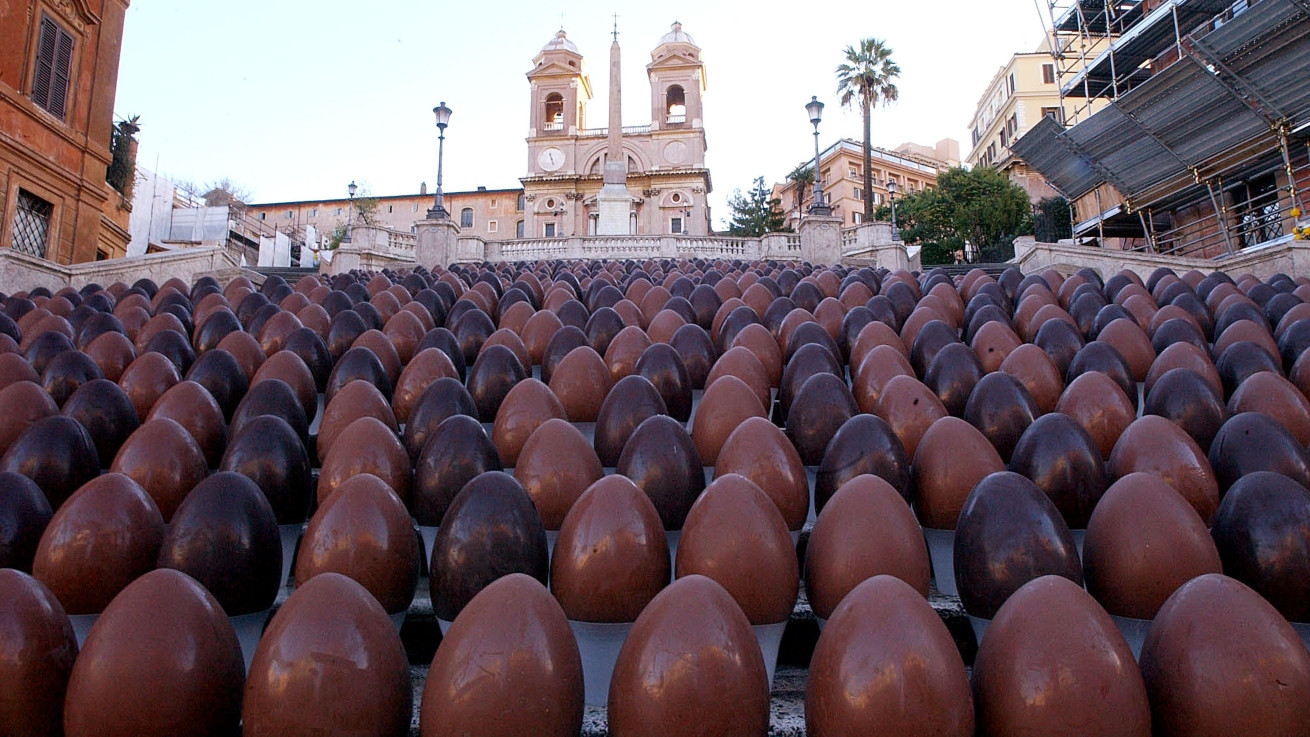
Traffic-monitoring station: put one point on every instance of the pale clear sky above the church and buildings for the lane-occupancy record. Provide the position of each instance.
(295, 100)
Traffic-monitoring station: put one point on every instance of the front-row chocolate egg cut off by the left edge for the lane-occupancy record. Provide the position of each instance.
(37, 654)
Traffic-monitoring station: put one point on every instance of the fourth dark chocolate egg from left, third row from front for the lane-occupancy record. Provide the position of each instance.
(662, 460)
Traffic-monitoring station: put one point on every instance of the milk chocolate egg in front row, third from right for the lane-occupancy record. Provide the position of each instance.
(872, 679)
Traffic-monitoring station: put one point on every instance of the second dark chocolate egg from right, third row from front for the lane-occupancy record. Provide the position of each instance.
(1064, 461)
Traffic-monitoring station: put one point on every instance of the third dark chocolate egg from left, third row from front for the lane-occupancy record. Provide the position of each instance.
(457, 452)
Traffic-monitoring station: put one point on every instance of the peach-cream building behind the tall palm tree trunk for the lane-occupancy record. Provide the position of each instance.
(843, 166)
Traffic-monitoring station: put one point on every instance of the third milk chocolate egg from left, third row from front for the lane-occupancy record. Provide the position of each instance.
(557, 465)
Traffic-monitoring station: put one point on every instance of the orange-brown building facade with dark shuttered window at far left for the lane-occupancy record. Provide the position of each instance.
(58, 79)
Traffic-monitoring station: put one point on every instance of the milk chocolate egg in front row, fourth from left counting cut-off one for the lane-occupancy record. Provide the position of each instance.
(531, 681)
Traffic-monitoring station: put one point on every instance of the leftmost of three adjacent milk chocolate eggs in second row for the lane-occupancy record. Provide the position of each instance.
(612, 556)
